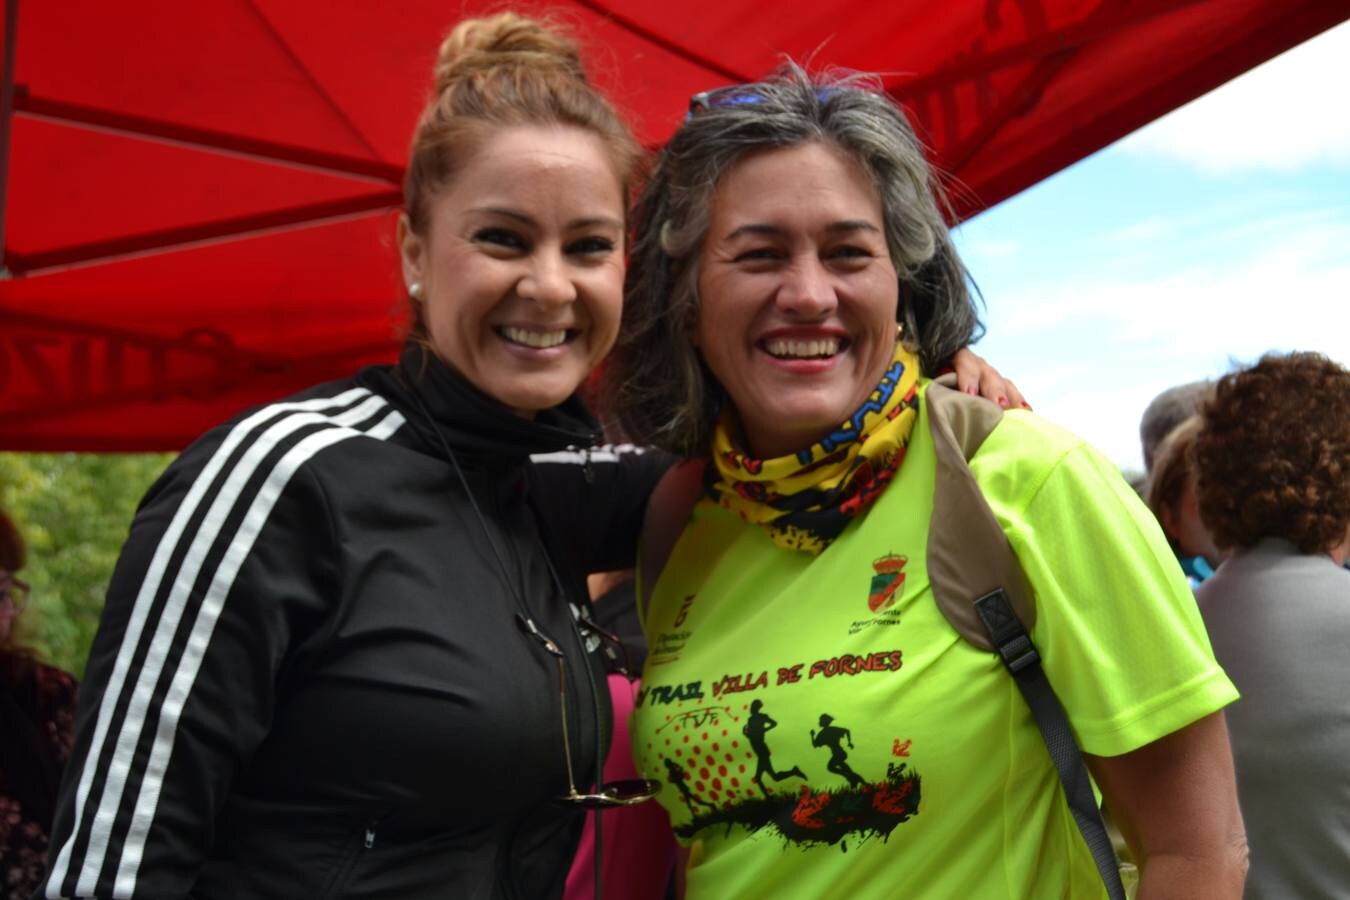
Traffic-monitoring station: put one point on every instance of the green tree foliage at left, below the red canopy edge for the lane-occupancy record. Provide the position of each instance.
(74, 509)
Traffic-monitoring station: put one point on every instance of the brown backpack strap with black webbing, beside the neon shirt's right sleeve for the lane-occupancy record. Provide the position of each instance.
(982, 590)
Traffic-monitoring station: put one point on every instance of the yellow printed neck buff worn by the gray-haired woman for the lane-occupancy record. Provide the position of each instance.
(807, 500)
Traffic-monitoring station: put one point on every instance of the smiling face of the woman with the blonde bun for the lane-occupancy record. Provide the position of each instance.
(522, 268)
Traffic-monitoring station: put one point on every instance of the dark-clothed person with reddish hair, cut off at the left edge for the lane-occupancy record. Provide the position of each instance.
(37, 724)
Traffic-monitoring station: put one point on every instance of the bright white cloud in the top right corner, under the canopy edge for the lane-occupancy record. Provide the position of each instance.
(1283, 115)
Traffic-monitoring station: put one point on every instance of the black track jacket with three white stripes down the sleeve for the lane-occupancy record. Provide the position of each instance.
(310, 679)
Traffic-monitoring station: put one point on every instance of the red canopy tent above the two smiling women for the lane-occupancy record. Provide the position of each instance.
(199, 207)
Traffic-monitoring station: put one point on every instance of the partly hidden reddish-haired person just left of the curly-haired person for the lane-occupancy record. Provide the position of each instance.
(1172, 497)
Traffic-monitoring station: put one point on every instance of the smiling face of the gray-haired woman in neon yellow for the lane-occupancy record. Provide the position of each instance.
(797, 293)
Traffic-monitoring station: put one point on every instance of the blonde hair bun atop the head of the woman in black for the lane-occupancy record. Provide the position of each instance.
(507, 40)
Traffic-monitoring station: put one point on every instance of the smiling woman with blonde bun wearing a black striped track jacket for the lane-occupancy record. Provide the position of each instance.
(341, 655)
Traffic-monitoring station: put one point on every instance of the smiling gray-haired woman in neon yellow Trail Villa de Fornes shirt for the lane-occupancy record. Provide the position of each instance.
(792, 275)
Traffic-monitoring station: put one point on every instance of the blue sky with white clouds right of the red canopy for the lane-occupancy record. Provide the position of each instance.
(1193, 246)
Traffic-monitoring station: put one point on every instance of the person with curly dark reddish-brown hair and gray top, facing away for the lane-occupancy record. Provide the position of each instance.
(1274, 463)
